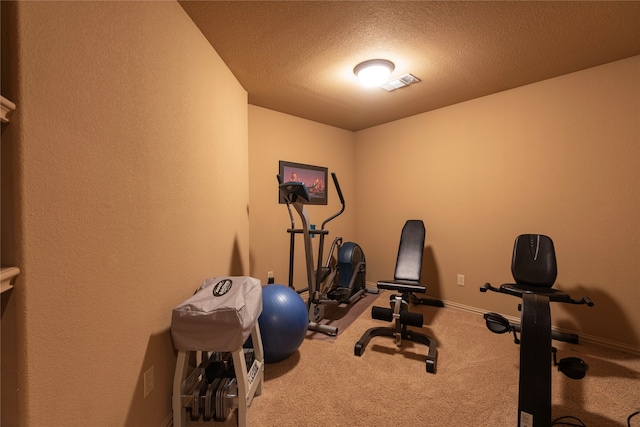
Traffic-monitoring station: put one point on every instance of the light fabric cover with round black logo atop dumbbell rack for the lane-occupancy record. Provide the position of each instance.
(219, 316)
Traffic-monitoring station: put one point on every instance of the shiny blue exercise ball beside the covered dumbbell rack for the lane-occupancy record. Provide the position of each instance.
(283, 322)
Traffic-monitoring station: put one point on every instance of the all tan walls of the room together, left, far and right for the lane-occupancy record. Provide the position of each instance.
(135, 173)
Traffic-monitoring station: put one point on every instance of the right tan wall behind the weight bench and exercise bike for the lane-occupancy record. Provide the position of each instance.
(560, 157)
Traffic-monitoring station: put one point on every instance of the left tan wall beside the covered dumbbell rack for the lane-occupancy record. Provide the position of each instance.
(132, 155)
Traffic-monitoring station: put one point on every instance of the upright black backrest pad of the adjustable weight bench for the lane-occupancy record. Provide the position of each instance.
(409, 262)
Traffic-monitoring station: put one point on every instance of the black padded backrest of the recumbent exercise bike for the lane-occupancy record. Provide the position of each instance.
(534, 261)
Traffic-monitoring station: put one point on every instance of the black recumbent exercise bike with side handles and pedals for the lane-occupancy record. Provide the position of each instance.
(534, 269)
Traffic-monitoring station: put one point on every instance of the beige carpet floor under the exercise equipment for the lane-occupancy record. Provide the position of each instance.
(476, 382)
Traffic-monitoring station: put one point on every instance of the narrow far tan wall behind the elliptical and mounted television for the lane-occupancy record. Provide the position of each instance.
(273, 137)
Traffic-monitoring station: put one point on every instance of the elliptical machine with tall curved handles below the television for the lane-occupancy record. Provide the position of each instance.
(334, 283)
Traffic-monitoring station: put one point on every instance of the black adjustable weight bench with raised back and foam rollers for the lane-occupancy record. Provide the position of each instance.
(406, 281)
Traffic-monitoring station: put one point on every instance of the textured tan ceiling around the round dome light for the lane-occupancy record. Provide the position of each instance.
(297, 57)
